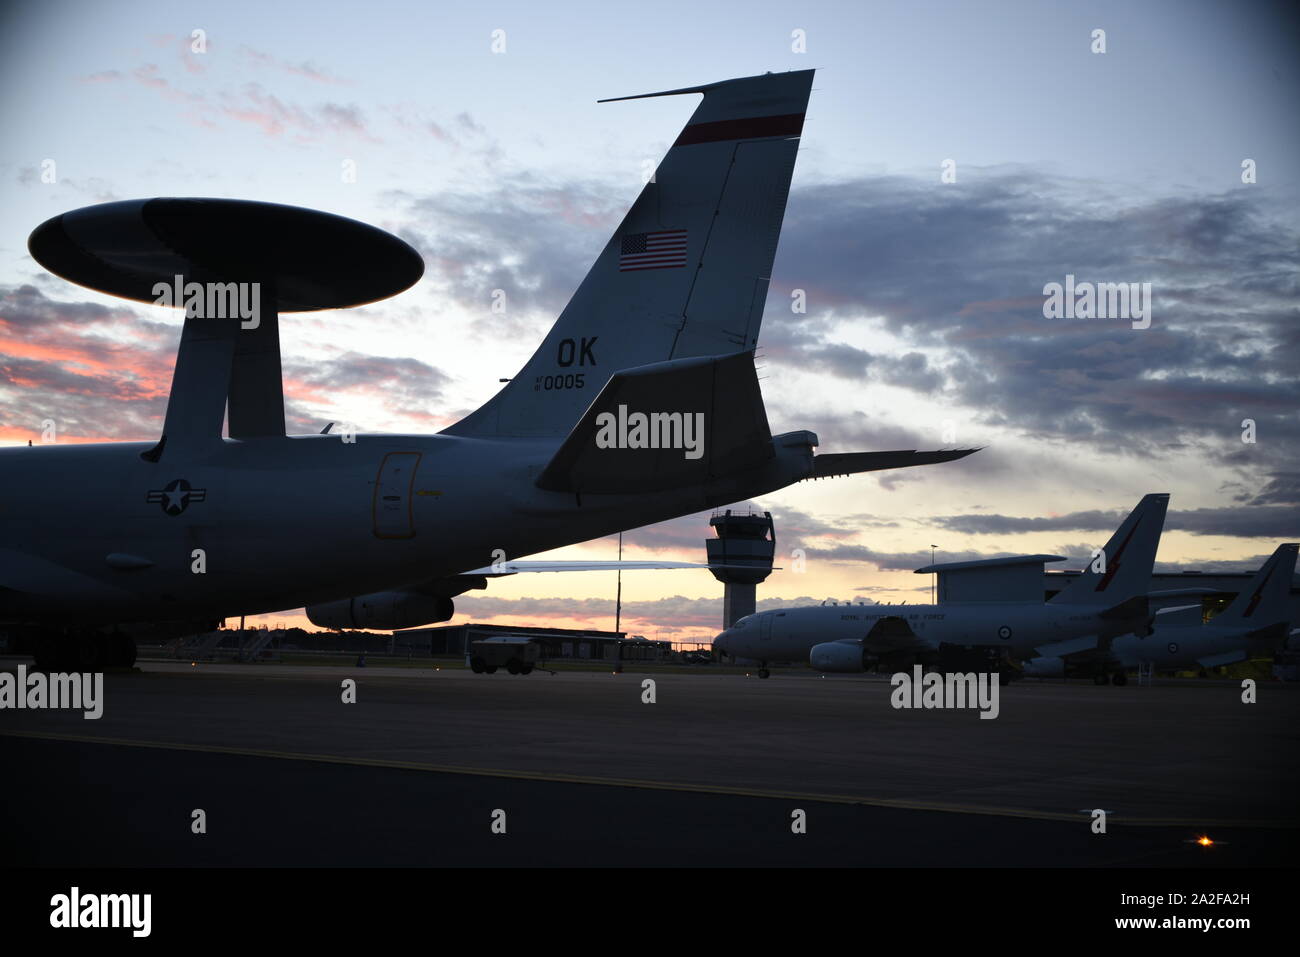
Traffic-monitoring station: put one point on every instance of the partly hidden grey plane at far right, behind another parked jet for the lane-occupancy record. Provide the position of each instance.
(1256, 622)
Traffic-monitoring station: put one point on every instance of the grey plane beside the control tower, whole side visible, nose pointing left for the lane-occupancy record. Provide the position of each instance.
(991, 613)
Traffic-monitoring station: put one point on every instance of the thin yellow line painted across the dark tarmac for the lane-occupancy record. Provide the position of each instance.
(648, 785)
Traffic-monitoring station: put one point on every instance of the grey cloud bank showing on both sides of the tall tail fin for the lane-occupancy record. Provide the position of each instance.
(955, 279)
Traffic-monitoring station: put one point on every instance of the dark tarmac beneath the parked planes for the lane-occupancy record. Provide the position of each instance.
(428, 768)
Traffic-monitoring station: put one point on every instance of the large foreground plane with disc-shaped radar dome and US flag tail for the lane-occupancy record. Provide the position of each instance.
(642, 405)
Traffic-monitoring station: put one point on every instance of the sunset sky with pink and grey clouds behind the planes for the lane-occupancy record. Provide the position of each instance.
(475, 136)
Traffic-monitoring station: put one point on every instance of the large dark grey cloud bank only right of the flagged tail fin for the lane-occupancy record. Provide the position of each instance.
(961, 271)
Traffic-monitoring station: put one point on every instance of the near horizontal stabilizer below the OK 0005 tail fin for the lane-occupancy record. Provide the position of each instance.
(666, 426)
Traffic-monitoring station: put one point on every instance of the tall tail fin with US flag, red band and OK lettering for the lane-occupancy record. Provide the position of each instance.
(686, 274)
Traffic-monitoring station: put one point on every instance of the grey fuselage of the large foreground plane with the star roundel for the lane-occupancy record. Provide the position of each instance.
(259, 526)
